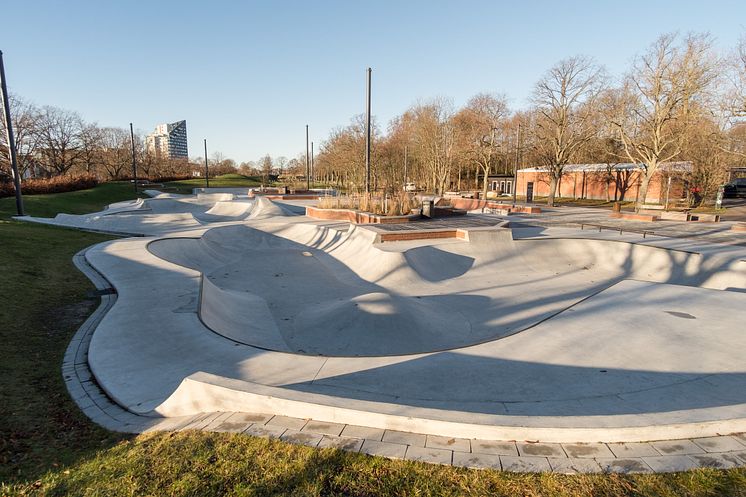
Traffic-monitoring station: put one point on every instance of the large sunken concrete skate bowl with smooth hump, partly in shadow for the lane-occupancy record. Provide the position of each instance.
(311, 290)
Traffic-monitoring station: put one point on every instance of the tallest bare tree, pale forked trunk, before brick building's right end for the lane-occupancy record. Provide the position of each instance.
(663, 90)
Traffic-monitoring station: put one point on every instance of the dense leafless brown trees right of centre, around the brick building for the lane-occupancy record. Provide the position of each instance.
(679, 101)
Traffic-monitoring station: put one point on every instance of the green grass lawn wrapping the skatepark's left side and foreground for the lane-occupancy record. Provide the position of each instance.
(47, 447)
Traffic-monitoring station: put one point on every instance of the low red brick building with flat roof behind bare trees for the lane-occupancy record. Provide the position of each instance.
(613, 182)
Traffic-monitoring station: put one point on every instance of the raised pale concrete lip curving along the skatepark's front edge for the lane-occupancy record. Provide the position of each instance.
(207, 392)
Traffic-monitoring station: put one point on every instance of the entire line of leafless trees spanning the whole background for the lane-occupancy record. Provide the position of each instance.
(678, 101)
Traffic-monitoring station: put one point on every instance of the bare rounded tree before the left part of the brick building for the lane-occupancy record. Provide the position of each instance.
(565, 99)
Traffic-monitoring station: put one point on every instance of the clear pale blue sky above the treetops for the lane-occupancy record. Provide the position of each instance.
(249, 75)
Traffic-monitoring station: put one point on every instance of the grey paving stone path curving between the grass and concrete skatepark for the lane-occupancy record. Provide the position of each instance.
(516, 456)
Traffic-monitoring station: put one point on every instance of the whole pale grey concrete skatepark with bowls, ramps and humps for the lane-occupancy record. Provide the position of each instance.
(510, 331)
